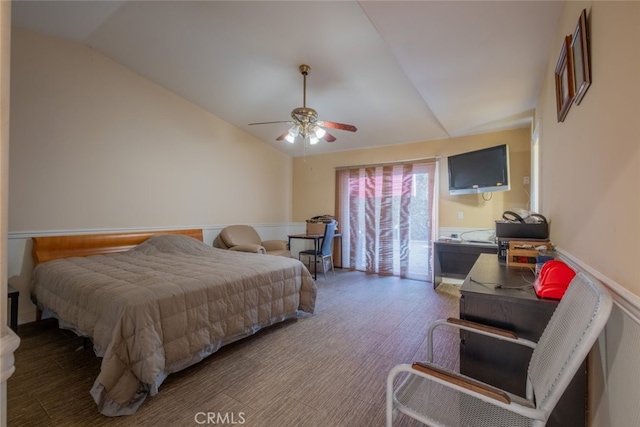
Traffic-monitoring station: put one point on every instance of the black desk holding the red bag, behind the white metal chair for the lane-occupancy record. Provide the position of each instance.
(505, 364)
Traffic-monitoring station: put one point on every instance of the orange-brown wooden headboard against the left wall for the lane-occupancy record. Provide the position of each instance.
(55, 247)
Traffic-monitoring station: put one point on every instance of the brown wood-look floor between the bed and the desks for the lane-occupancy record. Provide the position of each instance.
(325, 370)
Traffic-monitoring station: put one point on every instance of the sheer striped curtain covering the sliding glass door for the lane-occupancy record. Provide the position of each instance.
(386, 216)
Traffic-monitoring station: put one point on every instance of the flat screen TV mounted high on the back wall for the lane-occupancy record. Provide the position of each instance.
(480, 171)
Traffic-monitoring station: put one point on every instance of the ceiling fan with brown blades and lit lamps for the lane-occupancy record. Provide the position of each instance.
(305, 123)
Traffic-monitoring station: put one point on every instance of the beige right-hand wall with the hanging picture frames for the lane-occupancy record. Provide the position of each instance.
(591, 161)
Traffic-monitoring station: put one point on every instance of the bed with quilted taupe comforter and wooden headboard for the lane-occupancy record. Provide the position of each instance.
(154, 303)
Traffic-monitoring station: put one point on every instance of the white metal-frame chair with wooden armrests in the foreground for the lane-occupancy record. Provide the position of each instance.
(439, 397)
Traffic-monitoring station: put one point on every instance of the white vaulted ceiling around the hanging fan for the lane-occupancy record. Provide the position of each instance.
(401, 71)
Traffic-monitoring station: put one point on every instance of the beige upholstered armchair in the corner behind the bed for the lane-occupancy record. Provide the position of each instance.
(245, 238)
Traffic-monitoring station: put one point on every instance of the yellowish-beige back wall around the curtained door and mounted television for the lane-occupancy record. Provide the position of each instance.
(314, 181)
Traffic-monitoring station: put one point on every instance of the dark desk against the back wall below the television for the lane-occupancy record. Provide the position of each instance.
(455, 259)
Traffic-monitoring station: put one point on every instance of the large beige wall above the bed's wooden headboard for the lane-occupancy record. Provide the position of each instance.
(96, 146)
